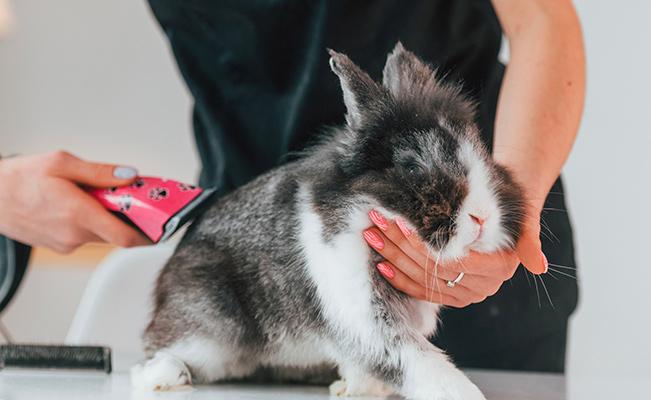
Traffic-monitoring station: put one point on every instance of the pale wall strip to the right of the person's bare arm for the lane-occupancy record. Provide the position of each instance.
(609, 188)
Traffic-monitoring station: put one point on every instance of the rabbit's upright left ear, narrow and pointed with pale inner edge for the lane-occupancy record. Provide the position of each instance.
(360, 91)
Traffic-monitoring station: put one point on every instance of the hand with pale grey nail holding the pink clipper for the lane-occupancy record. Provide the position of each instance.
(41, 203)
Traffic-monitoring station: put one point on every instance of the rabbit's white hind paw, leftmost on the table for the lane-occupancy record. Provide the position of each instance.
(163, 372)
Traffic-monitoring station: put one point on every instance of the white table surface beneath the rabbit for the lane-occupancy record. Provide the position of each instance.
(42, 385)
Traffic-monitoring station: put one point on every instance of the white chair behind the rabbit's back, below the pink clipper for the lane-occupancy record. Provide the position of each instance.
(114, 309)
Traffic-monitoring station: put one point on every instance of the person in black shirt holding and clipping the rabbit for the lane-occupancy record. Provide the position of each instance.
(262, 90)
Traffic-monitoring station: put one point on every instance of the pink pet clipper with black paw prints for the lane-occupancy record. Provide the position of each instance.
(158, 207)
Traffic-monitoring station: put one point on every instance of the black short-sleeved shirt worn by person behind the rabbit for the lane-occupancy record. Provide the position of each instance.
(262, 88)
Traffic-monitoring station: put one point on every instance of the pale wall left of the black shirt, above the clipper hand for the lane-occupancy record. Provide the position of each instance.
(95, 78)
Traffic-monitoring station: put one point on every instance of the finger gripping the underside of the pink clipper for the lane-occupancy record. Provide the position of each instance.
(108, 227)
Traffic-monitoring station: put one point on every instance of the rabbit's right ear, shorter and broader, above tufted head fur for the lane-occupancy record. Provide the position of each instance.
(406, 75)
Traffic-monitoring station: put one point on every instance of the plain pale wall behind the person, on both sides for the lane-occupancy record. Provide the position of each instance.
(95, 77)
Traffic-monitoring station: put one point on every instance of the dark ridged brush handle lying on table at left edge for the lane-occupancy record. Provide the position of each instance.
(49, 356)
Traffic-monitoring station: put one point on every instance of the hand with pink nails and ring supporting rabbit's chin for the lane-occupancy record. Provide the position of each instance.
(408, 268)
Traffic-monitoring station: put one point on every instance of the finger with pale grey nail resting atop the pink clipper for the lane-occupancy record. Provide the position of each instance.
(65, 165)
